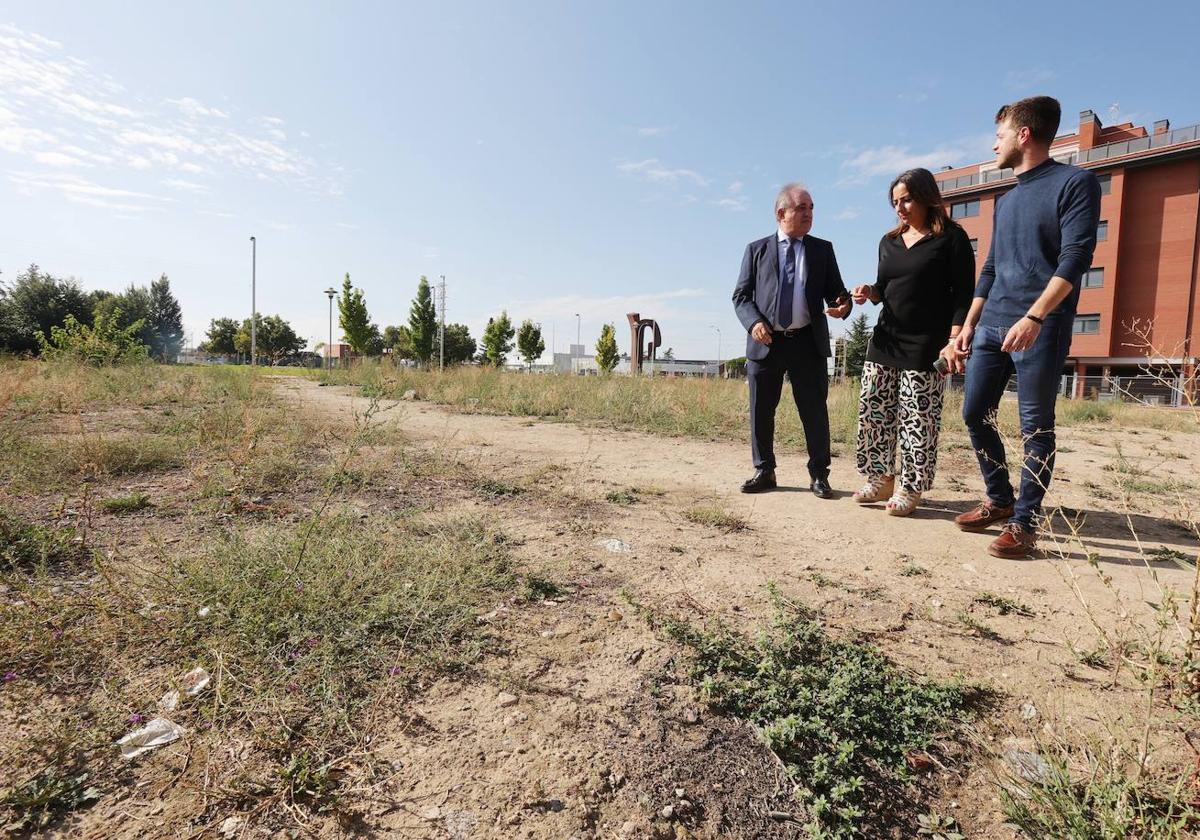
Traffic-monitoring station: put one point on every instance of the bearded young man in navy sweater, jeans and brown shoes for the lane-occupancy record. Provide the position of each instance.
(1022, 317)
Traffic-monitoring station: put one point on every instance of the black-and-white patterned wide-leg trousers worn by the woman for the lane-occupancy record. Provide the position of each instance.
(904, 406)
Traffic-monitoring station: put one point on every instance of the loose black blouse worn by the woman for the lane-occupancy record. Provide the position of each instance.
(926, 290)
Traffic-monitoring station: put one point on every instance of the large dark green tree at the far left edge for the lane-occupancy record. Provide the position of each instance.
(34, 304)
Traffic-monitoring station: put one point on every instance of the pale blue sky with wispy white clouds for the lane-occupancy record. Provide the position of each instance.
(549, 159)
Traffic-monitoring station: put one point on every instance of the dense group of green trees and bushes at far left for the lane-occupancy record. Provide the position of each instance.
(38, 303)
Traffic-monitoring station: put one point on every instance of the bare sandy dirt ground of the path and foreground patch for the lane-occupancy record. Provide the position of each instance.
(590, 751)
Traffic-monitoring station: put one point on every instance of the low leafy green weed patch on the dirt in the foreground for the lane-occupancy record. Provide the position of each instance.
(839, 716)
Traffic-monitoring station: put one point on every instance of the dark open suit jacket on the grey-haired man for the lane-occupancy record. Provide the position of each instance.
(757, 296)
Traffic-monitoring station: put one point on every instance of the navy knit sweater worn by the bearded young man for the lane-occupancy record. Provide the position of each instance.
(1045, 227)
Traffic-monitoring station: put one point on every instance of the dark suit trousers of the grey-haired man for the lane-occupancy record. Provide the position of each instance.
(808, 371)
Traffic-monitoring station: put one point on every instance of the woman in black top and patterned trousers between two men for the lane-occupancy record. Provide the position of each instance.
(926, 281)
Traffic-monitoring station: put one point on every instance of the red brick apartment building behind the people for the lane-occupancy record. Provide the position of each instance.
(1147, 256)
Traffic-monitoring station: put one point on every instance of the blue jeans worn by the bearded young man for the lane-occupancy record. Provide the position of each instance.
(1039, 371)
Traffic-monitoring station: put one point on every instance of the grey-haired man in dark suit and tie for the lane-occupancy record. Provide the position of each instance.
(785, 284)
